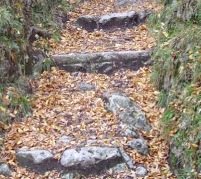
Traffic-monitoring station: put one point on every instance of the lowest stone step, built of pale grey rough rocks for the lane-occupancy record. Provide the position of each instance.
(83, 160)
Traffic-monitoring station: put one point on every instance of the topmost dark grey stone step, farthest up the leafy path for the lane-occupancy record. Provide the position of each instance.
(114, 20)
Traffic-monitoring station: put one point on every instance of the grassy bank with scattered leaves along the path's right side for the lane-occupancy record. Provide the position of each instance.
(177, 74)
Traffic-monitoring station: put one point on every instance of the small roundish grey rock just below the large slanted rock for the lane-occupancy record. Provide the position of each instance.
(139, 145)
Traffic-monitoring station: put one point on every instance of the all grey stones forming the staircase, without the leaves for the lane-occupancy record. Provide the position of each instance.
(87, 159)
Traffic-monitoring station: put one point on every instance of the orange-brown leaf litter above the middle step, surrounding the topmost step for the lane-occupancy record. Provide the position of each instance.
(136, 38)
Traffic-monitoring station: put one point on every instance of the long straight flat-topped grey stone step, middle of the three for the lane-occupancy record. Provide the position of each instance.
(101, 62)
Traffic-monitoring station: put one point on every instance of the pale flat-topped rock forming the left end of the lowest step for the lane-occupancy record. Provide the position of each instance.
(34, 156)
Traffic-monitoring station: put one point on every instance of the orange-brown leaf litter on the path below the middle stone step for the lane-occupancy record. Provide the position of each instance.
(60, 108)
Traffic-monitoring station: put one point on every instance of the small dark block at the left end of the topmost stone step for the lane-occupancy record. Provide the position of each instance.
(87, 22)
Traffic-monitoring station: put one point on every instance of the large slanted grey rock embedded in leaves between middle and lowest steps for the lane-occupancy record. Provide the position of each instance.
(127, 111)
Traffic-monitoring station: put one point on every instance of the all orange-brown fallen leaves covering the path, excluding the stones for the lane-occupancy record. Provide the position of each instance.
(60, 108)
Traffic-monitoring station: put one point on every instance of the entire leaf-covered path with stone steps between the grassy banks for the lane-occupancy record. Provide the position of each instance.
(94, 114)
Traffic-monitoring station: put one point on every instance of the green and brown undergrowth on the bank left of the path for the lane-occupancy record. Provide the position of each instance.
(17, 18)
